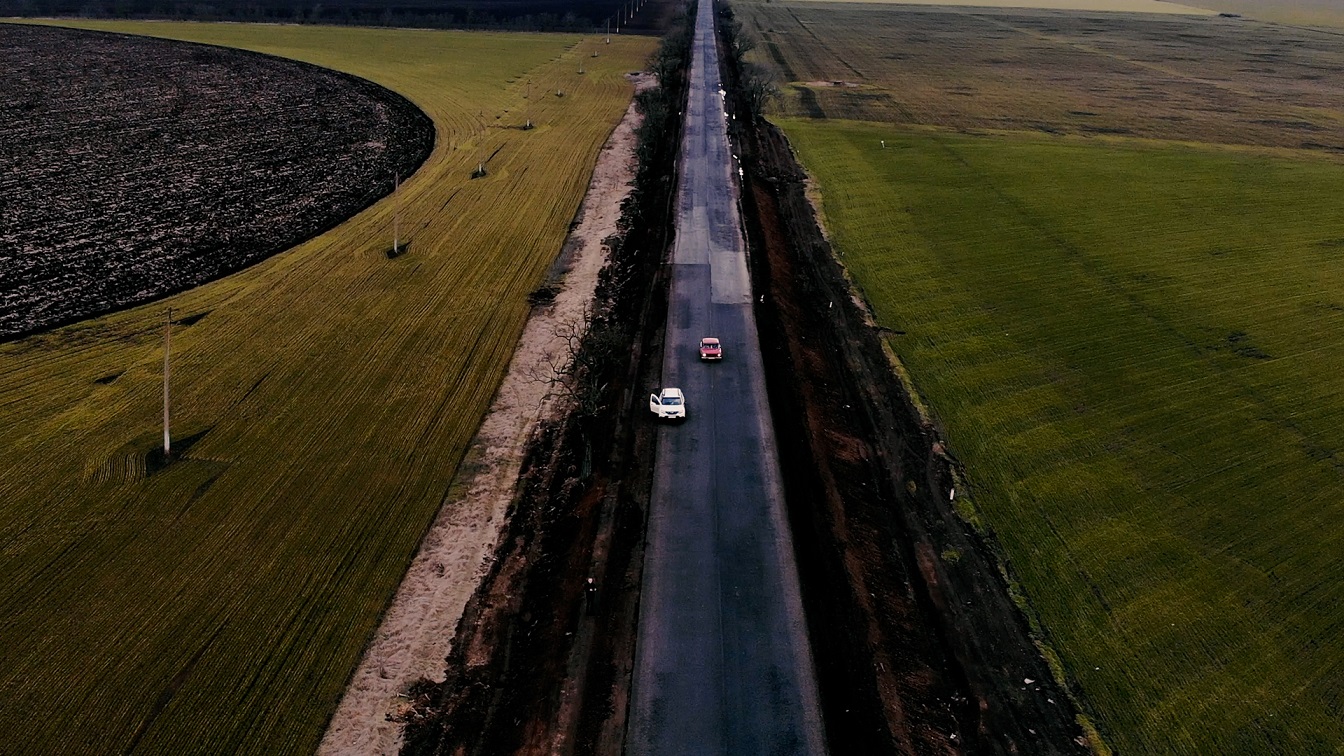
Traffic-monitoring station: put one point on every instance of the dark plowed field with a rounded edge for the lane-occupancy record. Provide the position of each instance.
(135, 167)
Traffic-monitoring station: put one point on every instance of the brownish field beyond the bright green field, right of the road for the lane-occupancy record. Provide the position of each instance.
(1100, 75)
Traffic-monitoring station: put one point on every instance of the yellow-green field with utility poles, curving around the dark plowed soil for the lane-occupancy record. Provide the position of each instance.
(220, 605)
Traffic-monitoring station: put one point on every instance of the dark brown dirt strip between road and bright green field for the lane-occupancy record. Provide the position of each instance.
(919, 646)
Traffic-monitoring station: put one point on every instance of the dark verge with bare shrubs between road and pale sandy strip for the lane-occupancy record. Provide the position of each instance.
(542, 657)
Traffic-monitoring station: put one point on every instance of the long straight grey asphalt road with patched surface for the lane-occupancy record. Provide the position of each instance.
(722, 660)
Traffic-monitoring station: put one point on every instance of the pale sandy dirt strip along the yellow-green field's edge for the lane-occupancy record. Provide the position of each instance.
(419, 629)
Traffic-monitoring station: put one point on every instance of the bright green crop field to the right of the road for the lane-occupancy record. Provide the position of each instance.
(1132, 349)
